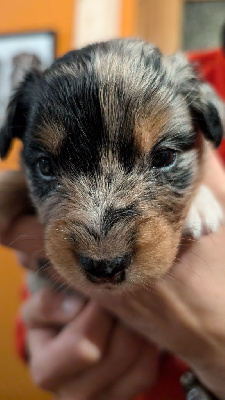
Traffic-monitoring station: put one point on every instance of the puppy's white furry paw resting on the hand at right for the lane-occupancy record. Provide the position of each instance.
(205, 214)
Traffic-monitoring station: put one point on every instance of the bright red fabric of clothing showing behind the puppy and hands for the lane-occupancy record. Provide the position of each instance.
(212, 66)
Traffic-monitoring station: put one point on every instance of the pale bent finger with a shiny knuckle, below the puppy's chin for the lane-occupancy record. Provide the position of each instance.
(58, 356)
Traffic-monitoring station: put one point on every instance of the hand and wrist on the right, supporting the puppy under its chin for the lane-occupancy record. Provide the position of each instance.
(184, 311)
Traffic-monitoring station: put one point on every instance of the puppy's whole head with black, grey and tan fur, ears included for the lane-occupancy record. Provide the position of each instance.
(113, 140)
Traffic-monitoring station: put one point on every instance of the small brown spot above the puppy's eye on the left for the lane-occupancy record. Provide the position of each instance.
(51, 137)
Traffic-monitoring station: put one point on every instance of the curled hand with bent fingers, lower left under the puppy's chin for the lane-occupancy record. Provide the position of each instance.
(79, 351)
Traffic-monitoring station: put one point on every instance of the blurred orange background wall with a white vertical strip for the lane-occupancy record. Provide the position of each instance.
(170, 24)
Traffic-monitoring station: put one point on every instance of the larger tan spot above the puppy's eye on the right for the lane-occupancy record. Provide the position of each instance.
(149, 130)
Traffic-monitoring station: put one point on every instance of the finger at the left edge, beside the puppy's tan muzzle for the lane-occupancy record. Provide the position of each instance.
(25, 235)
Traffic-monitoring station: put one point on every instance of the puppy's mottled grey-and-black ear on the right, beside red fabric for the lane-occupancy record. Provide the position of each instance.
(207, 110)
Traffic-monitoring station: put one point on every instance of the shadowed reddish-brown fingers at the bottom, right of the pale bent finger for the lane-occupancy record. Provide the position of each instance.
(118, 367)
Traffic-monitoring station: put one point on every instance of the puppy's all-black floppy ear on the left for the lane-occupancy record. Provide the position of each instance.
(18, 110)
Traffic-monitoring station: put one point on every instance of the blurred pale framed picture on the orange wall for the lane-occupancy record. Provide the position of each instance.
(18, 54)
